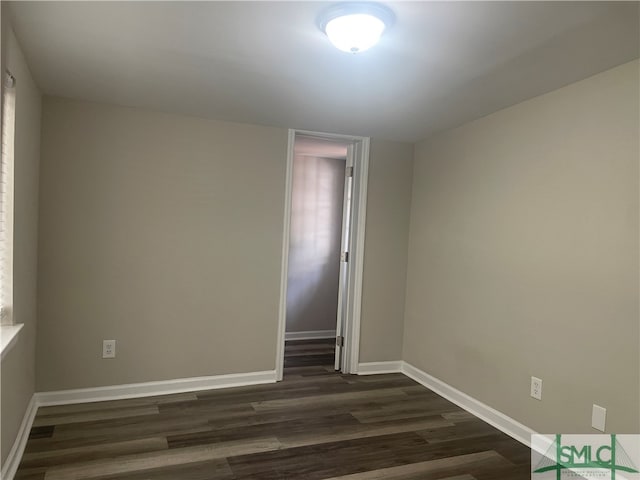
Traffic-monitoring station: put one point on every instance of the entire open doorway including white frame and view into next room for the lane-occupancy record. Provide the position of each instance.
(323, 242)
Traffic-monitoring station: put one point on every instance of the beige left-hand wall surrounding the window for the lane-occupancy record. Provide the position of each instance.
(18, 366)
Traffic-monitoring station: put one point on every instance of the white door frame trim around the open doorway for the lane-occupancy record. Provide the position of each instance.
(356, 255)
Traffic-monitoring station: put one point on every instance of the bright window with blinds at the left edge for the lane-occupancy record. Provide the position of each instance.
(6, 199)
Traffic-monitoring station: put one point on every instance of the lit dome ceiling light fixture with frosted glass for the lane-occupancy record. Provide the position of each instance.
(355, 27)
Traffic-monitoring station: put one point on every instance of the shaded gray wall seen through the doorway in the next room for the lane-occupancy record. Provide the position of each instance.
(314, 246)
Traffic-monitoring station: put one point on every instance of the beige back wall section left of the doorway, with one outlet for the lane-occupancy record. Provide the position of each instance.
(162, 232)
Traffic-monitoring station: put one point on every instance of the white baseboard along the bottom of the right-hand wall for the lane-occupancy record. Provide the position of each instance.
(490, 415)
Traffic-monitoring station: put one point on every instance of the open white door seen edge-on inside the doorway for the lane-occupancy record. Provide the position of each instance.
(343, 282)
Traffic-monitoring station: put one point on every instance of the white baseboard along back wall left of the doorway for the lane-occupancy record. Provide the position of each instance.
(148, 389)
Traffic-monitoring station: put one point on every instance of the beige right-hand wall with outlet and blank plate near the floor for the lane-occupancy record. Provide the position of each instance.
(523, 256)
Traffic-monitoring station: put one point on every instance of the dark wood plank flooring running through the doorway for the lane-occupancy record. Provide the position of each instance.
(316, 424)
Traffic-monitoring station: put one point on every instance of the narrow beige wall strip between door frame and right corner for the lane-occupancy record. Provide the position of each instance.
(385, 251)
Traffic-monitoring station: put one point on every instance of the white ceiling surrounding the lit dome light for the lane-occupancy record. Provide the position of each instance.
(440, 65)
